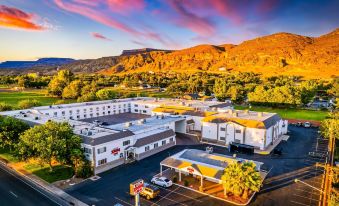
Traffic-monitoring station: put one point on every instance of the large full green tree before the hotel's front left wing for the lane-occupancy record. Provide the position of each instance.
(48, 142)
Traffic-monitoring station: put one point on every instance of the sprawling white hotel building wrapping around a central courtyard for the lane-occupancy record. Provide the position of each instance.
(126, 139)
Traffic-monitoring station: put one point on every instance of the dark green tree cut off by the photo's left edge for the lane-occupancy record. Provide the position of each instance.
(10, 130)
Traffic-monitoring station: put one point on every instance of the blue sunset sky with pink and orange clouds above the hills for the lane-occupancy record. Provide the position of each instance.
(85, 29)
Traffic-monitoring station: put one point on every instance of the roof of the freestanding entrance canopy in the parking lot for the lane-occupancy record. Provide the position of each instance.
(199, 162)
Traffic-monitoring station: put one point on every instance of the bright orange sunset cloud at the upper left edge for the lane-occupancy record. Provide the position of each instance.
(15, 18)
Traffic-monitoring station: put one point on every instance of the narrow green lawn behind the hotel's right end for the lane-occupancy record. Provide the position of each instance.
(290, 113)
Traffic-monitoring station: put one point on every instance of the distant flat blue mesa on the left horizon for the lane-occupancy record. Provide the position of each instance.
(43, 62)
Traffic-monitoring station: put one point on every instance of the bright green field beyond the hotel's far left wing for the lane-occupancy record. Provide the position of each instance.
(13, 97)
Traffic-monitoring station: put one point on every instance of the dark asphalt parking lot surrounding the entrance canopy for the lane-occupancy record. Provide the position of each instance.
(279, 187)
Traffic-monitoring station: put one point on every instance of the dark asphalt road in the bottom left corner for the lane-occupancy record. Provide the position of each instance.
(13, 191)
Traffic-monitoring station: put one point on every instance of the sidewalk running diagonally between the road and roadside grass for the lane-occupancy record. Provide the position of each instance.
(57, 194)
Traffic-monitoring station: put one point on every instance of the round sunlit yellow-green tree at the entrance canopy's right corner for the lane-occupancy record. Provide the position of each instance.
(241, 179)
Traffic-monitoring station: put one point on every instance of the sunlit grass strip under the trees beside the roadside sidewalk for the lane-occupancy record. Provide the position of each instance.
(60, 172)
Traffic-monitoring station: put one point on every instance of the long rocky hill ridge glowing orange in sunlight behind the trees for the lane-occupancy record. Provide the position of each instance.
(276, 54)
